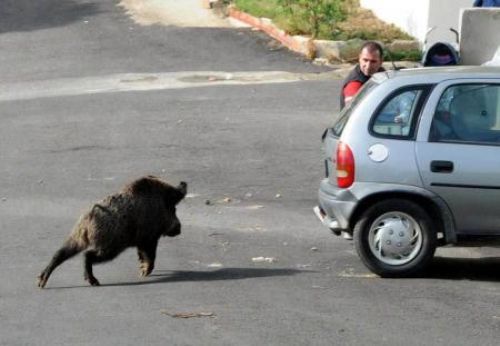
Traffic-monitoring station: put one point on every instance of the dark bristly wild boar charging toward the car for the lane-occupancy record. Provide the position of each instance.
(136, 216)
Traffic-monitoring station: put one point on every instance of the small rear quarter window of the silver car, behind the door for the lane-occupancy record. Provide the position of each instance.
(395, 118)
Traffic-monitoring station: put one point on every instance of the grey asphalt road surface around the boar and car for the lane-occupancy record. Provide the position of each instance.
(90, 100)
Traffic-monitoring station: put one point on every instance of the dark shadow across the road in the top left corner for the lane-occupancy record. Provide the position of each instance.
(28, 15)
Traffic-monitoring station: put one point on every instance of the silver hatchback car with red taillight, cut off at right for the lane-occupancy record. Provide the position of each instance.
(413, 163)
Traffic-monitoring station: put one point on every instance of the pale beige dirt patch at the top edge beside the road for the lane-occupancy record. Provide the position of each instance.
(185, 13)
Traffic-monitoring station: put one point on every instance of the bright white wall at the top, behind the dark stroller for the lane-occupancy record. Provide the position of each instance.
(417, 16)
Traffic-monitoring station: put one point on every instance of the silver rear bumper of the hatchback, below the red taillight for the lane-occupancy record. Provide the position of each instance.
(335, 207)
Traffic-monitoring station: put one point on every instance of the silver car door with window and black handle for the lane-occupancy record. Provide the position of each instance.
(459, 152)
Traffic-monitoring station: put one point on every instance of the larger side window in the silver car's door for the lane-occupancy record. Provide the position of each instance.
(468, 113)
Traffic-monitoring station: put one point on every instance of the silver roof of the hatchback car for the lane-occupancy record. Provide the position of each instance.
(438, 74)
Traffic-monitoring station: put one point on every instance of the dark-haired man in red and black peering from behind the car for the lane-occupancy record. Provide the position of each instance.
(370, 62)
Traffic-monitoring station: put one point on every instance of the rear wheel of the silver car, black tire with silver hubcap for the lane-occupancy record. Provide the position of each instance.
(395, 238)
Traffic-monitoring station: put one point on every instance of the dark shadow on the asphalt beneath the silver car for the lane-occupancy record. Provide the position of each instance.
(475, 269)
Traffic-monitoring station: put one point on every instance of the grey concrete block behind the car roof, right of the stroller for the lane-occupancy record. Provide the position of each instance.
(479, 35)
